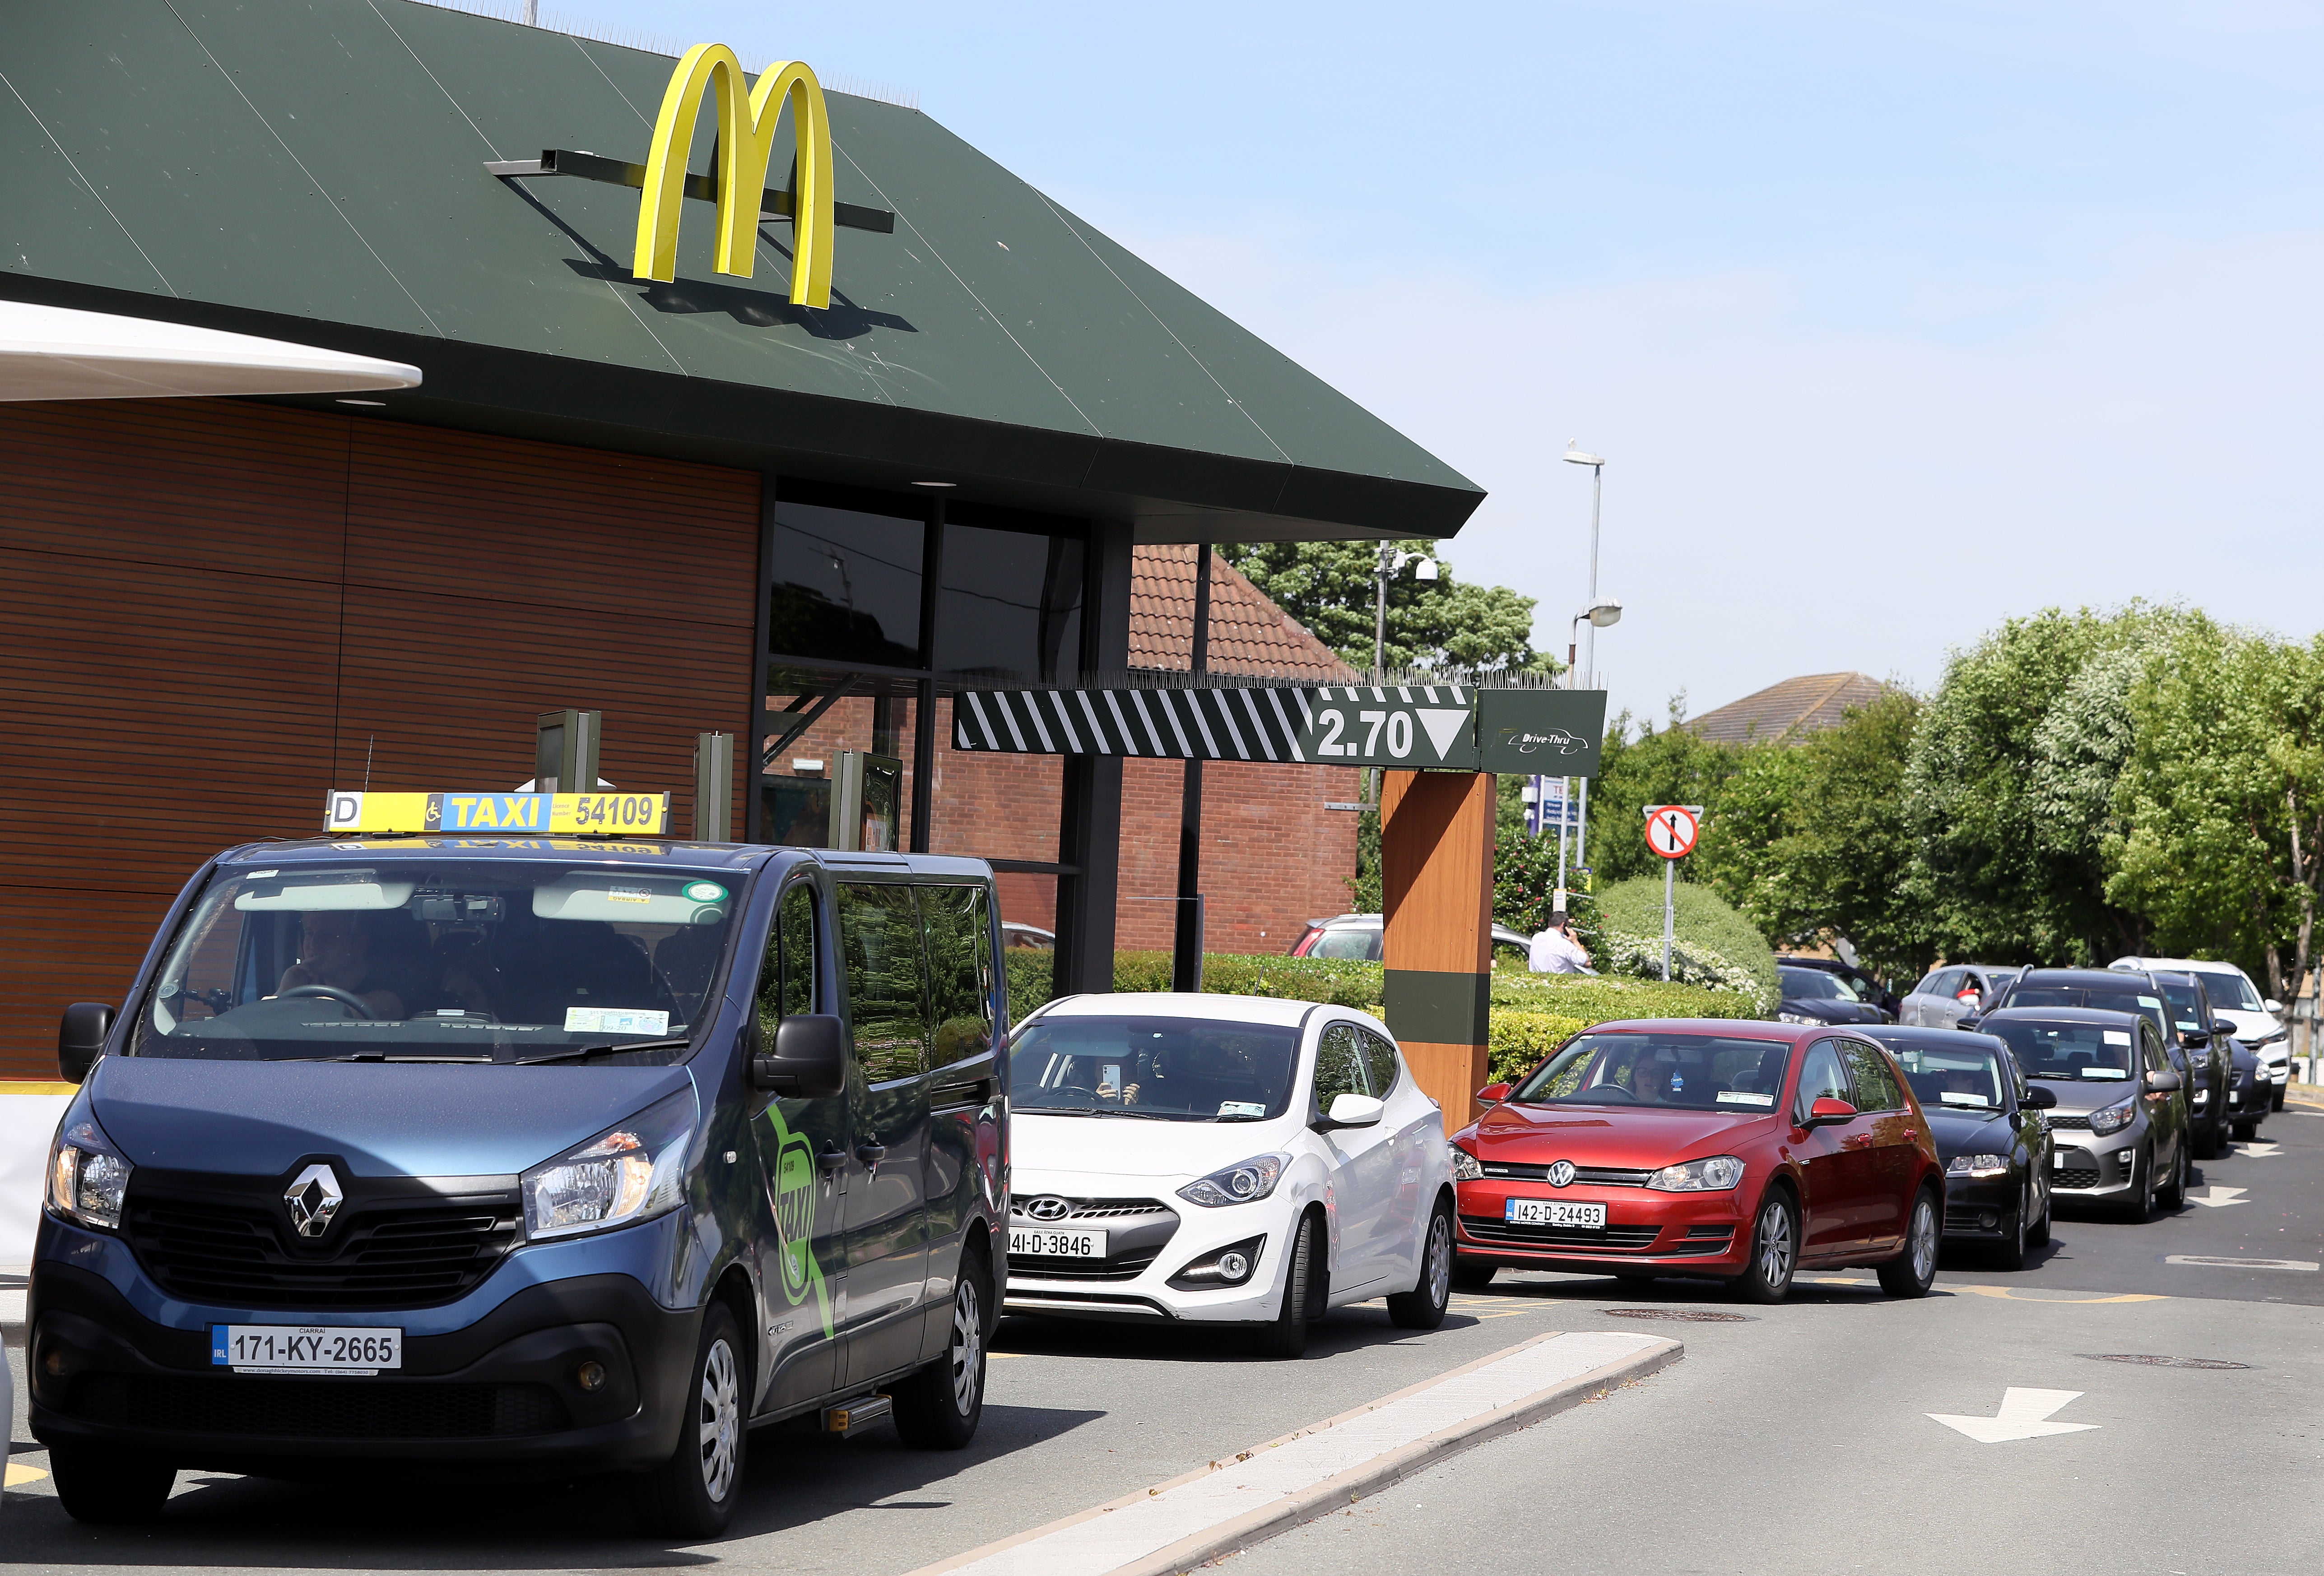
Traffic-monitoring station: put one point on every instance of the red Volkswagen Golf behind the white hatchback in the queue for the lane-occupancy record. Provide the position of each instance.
(1705, 1147)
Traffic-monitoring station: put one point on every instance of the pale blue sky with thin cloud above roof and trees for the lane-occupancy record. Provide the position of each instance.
(1891, 320)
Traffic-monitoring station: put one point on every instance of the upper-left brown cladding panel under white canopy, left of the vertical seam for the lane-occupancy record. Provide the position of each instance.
(196, 485)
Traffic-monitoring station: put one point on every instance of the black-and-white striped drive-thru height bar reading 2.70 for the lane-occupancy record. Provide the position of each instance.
(1391, 726)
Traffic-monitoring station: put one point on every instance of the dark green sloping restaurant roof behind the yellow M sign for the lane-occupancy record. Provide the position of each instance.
(317, 166)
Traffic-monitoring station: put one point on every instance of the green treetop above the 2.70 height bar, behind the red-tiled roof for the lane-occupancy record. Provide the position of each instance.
(1430, 624)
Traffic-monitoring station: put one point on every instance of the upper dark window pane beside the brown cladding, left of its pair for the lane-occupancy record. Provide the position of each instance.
(847, 587)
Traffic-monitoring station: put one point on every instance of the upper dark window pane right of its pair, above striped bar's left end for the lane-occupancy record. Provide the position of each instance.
(1012, 603)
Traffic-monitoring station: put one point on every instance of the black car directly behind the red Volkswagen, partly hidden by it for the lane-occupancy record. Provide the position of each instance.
(1991, 1133)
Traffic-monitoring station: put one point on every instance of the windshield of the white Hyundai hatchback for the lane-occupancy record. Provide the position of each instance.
(1203, 1070)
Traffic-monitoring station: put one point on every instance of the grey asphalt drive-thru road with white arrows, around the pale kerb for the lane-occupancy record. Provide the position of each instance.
(1791, 1431)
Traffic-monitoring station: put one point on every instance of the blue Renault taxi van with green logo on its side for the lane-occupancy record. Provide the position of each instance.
(526, 1156)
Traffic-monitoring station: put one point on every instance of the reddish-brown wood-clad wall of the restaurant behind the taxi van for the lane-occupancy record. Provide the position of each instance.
(210, 610)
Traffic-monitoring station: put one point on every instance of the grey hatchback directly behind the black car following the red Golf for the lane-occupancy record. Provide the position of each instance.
(2121, 1119)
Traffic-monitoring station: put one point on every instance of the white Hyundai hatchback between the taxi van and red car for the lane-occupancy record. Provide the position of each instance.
(1219, 1159)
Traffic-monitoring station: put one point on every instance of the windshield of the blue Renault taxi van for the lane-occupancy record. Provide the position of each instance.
(468, 961)
